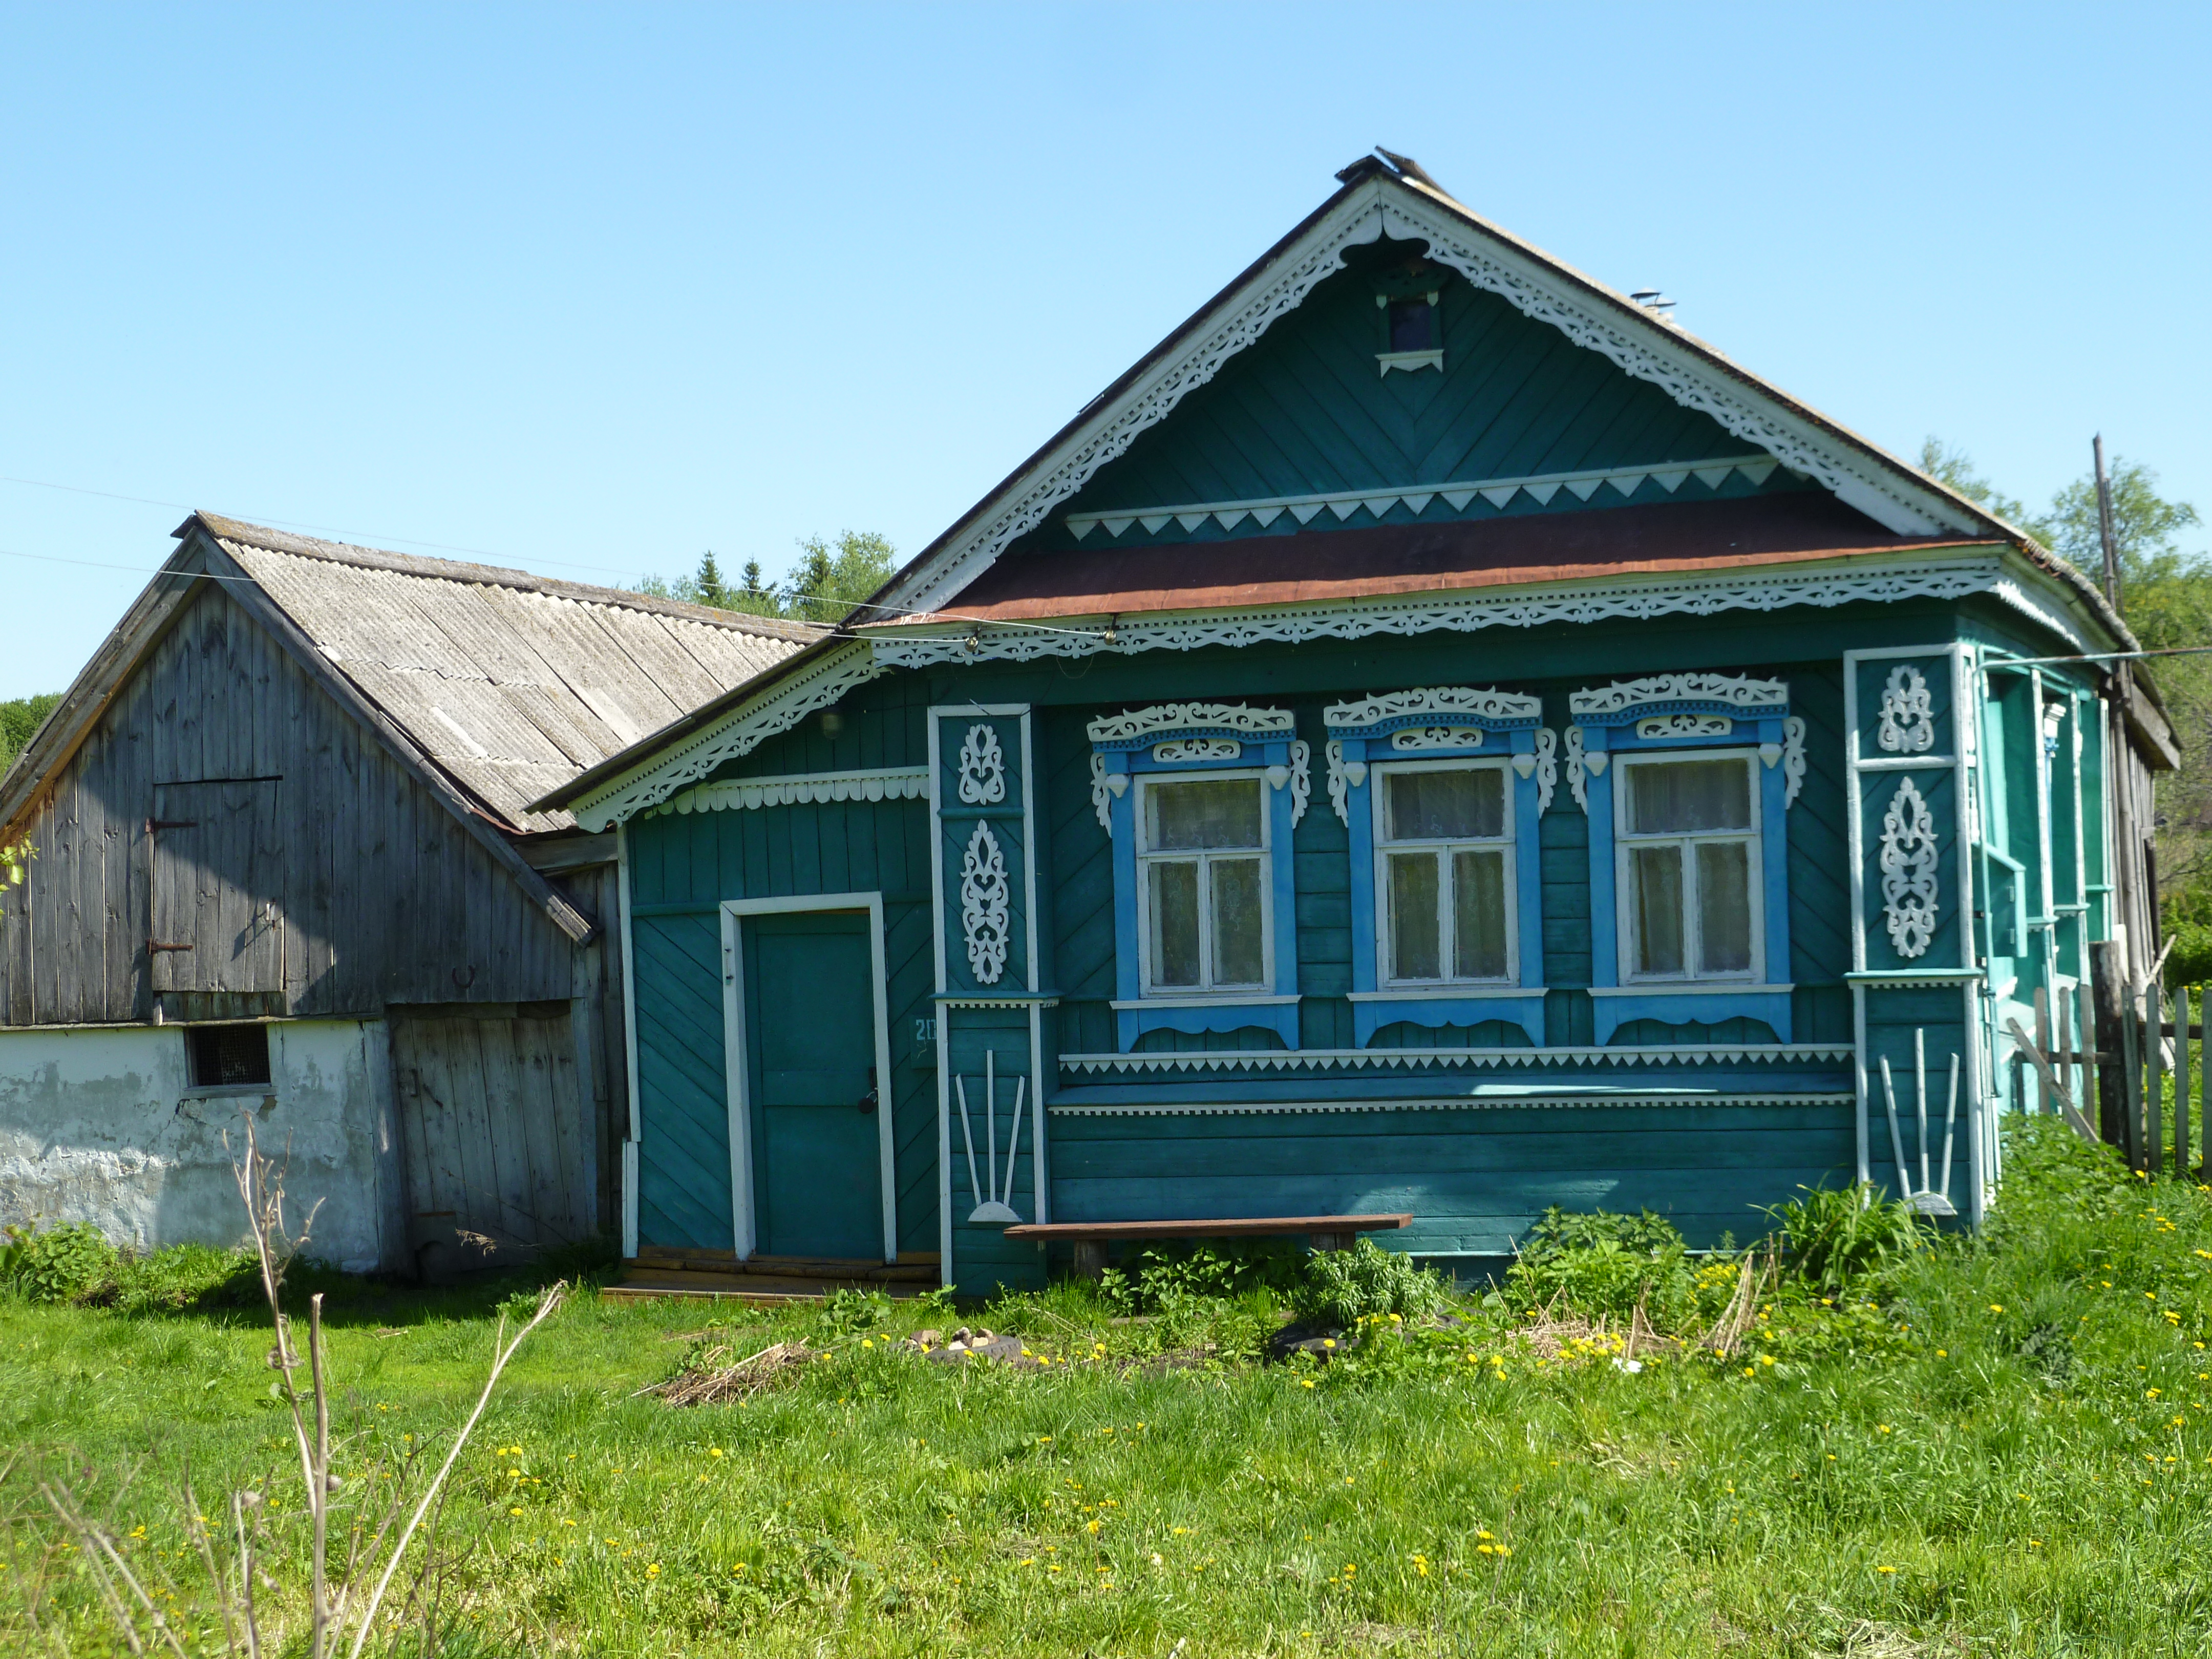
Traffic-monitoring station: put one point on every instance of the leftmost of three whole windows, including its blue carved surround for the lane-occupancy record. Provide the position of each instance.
(1200, 802)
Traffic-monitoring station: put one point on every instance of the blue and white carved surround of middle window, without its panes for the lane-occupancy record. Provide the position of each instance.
(1421, 727)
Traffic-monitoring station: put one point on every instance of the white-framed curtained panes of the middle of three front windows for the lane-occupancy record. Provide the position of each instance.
(1446, 875)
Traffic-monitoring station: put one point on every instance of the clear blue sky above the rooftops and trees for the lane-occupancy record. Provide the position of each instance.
(589, 291)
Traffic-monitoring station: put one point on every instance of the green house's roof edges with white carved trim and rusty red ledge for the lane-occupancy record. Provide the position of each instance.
(961, 601)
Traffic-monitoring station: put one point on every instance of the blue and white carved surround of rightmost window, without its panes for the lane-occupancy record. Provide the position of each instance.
(1665, 716)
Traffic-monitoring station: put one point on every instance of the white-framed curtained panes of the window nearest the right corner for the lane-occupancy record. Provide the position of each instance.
(1689, 868)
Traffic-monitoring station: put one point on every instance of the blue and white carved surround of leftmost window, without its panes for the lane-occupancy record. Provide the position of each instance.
(1202, 740)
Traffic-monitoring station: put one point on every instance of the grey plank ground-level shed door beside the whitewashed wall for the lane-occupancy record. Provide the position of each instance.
(492, 1125)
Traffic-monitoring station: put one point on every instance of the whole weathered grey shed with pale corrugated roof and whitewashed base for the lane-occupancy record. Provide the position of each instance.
(286, 864)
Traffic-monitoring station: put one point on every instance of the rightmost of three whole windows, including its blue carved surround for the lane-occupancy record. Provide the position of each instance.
(1687, 782)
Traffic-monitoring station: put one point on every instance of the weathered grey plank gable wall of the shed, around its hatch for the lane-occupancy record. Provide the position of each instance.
(384, 895)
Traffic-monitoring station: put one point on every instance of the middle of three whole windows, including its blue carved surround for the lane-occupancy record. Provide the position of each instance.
(1441, 793)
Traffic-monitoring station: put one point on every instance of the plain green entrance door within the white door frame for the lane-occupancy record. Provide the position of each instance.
(811, 1047)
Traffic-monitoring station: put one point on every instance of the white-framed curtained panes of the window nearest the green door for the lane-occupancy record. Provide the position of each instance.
(1204, 884)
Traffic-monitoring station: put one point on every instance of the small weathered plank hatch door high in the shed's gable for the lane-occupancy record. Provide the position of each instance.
(218, 888)
